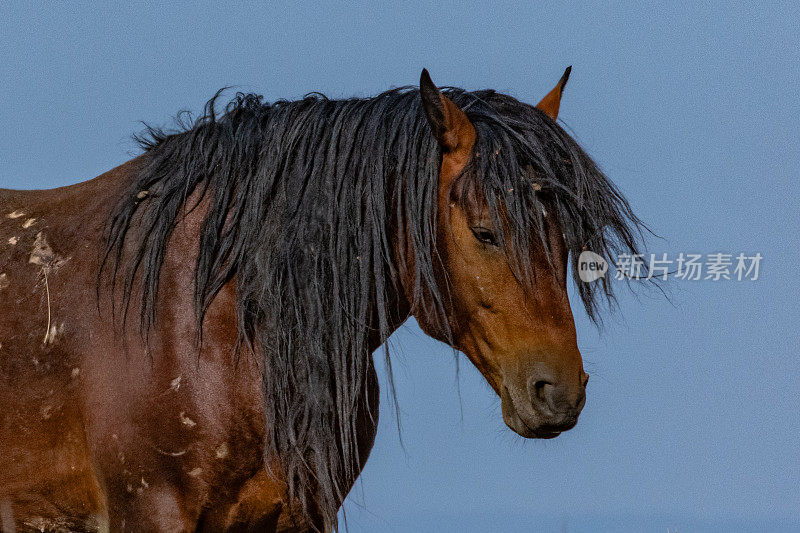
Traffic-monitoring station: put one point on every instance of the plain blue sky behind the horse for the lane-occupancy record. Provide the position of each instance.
(693, 418)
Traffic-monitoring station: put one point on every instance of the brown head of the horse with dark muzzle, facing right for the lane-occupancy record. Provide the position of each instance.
(511, 317)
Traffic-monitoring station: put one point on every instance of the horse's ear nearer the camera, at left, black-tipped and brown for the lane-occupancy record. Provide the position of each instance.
(449, 124)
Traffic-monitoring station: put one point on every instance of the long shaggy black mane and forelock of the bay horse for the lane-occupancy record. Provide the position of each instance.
(306, 204)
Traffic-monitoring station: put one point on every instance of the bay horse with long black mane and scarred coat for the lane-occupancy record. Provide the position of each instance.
(186, 340)
